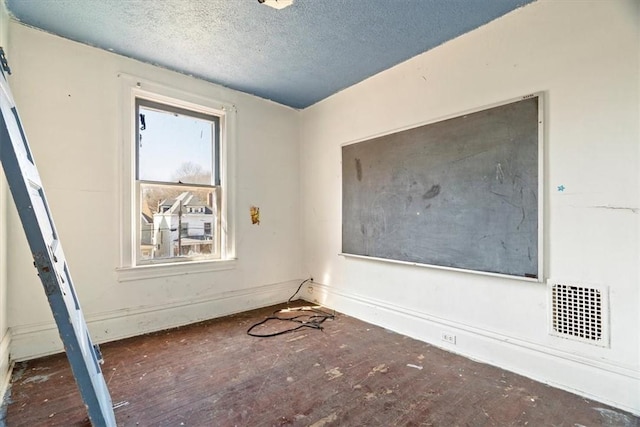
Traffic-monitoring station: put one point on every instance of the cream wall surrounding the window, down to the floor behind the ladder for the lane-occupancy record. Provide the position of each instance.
(69, 98)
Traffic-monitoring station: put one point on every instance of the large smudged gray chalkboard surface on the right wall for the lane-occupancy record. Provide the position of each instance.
(459, 193)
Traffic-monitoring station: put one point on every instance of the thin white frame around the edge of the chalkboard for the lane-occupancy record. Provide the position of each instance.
(540, 195)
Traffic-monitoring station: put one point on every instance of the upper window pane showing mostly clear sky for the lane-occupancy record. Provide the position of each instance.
(175, 147)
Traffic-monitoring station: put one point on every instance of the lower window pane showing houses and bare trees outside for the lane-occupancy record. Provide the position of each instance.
(177, 222)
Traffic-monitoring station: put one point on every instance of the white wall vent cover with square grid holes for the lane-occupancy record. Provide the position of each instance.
(580, 313)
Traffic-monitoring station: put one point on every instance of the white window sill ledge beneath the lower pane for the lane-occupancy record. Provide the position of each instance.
(142, 272)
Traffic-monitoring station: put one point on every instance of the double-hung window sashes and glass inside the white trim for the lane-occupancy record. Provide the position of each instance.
(178, 182)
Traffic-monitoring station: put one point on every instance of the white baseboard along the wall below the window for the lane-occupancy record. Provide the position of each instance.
(37, 340)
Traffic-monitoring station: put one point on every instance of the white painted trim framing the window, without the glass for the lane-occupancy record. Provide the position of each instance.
(132, 87)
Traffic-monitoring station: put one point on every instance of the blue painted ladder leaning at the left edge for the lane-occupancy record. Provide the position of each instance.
(28, 194)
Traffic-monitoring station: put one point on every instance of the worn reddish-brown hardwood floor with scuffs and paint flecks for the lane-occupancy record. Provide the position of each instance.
(350, 374)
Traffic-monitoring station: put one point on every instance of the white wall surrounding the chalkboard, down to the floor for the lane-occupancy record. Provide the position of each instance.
(585, 56)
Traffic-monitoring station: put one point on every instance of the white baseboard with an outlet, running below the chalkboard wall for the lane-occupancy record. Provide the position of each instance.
(612, 384)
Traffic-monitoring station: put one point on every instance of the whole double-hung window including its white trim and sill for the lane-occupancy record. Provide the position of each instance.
(177, 197)
